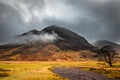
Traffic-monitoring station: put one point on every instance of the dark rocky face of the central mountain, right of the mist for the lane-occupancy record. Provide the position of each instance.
(70, 40)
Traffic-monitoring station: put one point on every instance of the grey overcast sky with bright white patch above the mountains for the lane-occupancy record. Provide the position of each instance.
(93, 19)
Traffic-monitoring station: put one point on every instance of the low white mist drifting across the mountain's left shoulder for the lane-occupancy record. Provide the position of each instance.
(34, 39)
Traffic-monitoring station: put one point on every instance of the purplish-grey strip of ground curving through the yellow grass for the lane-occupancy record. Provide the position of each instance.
(77, 74)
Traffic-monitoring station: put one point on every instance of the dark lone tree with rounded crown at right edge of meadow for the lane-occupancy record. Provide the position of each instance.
(107, 54)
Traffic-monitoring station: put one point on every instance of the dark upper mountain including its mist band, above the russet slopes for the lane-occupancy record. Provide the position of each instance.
(62, 37)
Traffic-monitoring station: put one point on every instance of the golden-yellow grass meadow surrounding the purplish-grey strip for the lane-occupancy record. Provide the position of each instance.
(41, 70)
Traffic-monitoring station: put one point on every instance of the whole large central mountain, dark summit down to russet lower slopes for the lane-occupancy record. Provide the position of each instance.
(50, 44)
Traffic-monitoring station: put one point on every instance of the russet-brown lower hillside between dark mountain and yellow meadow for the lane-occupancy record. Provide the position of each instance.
(49, 52)
